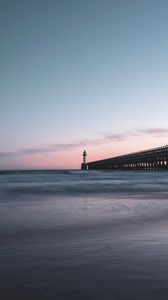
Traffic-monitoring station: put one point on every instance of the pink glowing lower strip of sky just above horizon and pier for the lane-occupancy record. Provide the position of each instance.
(69, 156)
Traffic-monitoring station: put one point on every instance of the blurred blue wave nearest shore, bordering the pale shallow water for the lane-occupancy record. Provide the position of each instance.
(97, 190)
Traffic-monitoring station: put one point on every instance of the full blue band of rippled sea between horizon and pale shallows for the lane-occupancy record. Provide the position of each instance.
(70, 182)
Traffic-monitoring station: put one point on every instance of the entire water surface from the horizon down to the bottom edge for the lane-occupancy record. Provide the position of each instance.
(72, 234)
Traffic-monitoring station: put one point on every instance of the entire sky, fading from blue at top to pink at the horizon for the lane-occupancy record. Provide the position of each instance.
(78, 75)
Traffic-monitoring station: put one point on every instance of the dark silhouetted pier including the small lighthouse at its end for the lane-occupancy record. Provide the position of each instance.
(151, 159)
